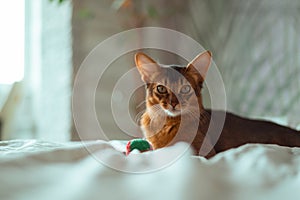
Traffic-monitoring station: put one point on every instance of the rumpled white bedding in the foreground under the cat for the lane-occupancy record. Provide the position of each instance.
(32, 169)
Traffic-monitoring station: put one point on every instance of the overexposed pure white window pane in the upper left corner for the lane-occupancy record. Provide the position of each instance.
(12, 20)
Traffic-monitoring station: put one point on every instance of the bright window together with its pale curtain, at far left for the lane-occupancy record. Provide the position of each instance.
(32, 51)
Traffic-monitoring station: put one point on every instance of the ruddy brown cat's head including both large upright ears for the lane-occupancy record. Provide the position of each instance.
(173, 90)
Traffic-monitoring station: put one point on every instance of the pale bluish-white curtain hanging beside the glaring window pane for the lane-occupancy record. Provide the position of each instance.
(44, 111)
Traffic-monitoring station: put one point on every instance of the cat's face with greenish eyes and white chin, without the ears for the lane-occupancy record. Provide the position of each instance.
(172, 92)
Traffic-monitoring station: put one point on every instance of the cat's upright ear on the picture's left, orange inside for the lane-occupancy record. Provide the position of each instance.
(146, 66)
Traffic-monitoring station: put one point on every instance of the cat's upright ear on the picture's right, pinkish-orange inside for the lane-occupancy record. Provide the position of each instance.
(200, 64)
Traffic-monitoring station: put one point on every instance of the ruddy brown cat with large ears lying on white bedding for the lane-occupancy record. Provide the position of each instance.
(174, 111)
